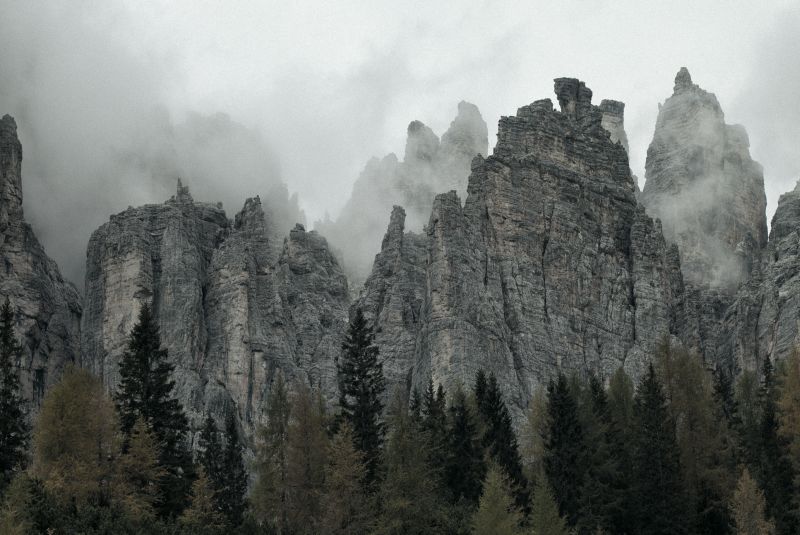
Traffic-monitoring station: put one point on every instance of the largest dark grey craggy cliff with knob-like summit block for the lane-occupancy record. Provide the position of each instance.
(550, 264)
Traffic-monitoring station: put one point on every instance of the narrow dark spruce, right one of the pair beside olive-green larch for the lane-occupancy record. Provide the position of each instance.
(231, 493)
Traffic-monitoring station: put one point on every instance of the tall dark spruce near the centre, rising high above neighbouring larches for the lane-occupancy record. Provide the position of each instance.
(361, 389)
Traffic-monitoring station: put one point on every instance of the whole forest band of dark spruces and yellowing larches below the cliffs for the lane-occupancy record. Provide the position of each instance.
(683, 451)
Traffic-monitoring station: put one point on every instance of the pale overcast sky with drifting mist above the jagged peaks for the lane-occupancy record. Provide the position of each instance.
(326, 85)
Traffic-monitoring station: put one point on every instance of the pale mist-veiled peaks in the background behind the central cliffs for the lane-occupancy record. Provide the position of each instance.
(429, 166)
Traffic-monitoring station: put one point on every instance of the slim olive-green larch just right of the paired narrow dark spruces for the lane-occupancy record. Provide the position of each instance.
(269, 494)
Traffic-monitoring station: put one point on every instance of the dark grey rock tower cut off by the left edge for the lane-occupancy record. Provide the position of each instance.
(47, 308)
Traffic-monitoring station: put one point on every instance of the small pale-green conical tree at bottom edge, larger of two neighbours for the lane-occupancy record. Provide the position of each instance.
(498, 513)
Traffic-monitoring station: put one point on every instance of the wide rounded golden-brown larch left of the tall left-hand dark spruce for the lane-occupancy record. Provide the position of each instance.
(76, 439)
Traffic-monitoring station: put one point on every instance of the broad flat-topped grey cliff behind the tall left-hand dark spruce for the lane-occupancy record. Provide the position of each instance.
(233, 305)
